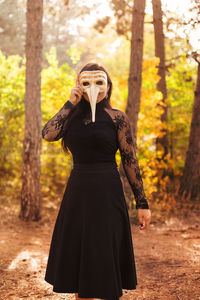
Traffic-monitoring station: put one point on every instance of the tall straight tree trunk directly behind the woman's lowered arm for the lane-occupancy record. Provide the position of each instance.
(135, 75)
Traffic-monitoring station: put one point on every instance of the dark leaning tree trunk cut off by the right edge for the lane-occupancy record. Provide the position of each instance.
(189, 186)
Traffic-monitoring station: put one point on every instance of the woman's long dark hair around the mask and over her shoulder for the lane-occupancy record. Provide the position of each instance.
(77, 109)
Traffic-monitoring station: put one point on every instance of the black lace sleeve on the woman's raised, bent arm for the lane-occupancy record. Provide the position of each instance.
(54, 128)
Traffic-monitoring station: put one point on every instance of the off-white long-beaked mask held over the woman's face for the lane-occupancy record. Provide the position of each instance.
(93, 83)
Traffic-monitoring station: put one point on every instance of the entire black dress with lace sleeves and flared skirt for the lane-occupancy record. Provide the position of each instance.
(91, 250)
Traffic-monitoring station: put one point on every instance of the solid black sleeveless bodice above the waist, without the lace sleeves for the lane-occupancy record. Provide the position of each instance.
(92, 142)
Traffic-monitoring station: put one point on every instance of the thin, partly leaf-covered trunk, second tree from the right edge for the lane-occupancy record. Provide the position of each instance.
(162, 143)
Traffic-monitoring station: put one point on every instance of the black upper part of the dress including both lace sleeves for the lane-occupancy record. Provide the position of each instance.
(98, 142)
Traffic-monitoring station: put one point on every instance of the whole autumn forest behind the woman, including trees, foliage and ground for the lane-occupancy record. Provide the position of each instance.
(151, 49)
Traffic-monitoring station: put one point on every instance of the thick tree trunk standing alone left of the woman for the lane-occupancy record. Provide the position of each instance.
(31, 194)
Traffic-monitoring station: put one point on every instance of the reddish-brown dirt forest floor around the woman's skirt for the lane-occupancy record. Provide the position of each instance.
(167, 259)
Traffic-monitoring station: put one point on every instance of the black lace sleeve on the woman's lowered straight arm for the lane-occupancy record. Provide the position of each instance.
(129, 159)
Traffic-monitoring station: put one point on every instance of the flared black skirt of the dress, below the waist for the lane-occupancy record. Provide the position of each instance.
(91, 251)
